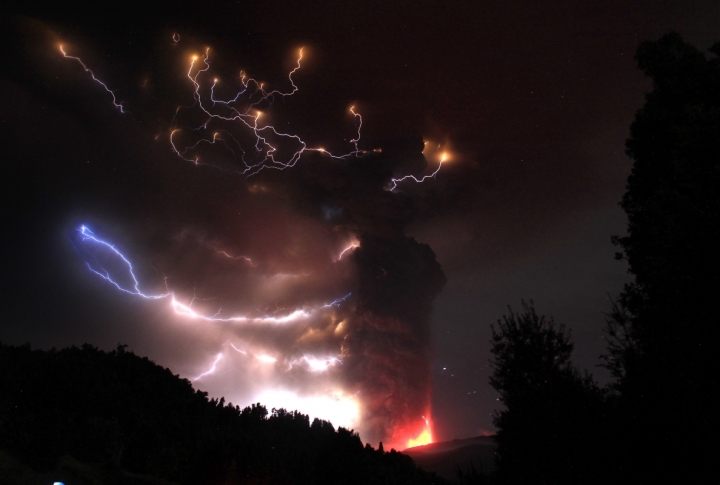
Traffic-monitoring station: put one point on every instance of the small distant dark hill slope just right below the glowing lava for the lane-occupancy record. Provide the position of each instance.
(447, 457)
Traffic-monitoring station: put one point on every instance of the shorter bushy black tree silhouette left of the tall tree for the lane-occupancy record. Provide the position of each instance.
(552, 427)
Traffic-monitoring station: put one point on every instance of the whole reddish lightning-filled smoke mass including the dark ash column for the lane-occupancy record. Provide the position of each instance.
(285, 266)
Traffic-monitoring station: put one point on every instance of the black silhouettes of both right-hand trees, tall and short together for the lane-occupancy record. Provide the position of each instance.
(658, 421)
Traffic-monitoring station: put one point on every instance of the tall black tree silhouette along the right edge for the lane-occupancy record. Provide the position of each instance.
(665, 324)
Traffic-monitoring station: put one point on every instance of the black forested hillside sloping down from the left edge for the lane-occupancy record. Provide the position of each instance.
(85, 416)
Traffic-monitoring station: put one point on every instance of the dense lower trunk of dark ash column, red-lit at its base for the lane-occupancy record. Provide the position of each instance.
(390, 341)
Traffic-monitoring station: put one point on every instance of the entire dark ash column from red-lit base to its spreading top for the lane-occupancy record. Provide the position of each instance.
(387, 339)
